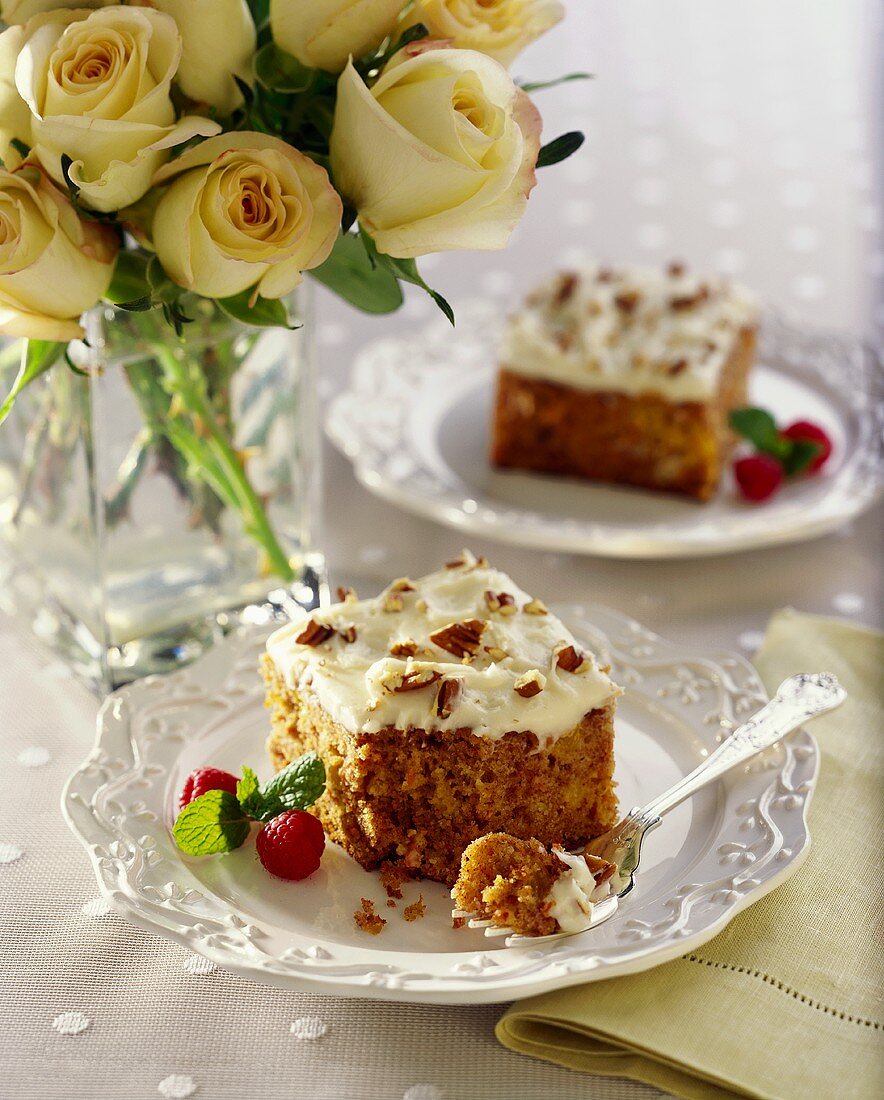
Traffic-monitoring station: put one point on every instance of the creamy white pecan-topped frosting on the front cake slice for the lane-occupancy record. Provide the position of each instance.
(461, 648)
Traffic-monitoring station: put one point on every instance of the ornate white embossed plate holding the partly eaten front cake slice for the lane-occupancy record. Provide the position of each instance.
(711, 859)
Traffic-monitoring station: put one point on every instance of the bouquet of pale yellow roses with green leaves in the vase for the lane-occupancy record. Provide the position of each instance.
(163, 155)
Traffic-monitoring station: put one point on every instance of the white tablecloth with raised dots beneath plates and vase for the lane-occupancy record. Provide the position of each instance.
(737, 137)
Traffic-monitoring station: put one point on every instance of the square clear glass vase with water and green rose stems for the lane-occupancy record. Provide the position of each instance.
(168, 493)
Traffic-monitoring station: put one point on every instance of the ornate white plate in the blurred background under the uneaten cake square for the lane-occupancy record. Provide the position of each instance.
(415, 422)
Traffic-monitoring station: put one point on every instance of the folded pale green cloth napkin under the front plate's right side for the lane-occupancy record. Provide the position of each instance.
(787, 1002)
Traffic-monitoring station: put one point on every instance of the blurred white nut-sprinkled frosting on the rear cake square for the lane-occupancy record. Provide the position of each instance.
(632, 331)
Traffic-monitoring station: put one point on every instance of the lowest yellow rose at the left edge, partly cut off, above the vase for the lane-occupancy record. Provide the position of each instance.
(53, 266)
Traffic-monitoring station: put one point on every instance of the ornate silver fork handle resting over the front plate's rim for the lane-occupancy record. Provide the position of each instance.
(798, 700)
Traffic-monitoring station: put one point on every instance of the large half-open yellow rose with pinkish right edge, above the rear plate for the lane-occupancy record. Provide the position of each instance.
(438, 155)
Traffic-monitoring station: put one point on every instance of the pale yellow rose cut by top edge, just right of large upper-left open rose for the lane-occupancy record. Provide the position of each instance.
(219, 40)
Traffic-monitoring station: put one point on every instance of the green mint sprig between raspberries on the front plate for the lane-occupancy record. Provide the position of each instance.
(218, 821)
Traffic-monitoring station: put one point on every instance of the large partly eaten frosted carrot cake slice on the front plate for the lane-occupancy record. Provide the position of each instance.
(445, 709)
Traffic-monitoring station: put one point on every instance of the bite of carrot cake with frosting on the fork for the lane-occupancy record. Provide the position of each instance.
(520, 885)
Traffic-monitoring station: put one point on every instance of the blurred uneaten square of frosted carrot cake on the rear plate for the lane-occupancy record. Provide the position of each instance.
(626, 375)
